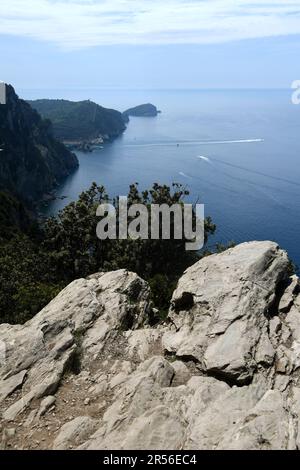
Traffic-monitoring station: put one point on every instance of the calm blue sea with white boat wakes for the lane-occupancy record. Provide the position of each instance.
(237, 151)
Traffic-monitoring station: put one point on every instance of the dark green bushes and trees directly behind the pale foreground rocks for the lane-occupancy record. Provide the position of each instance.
(36, 265)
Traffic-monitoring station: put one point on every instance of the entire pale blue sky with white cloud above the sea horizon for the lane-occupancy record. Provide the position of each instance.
(149, 44)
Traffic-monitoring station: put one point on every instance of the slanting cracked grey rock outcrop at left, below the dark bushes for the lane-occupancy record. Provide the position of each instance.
(77, 322)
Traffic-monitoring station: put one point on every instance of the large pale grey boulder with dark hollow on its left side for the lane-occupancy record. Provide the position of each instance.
(221, 310)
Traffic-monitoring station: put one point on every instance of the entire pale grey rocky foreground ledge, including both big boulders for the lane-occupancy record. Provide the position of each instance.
(222, 373)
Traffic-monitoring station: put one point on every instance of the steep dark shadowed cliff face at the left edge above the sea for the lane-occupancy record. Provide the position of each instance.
(31, 160)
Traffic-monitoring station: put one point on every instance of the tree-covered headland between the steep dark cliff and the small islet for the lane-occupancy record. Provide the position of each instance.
(80, 121)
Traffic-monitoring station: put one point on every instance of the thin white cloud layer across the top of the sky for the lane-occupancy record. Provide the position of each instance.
(76, 24)
